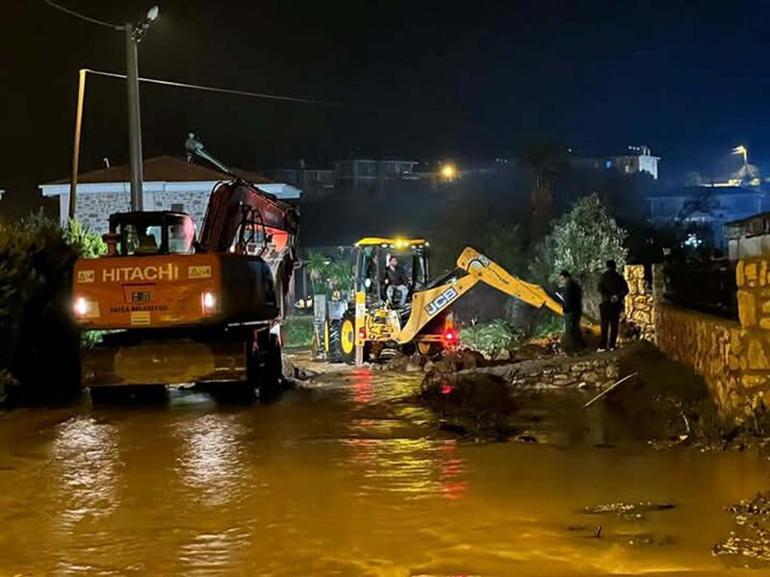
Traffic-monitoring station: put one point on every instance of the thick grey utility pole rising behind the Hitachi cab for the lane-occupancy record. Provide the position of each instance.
(133, 36)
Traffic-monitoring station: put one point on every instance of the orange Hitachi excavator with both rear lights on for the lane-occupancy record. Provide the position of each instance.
(179, 310)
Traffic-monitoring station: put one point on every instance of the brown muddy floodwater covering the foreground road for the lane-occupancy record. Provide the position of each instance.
(347, 478)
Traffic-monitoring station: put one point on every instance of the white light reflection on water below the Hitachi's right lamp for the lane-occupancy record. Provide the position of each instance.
(210, 462)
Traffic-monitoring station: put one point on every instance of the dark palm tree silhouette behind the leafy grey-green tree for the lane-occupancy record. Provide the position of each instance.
(545, 160)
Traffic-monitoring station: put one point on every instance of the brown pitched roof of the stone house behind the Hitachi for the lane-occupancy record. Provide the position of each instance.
(162, 169)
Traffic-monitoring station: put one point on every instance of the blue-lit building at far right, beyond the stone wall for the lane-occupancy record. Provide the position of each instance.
(708, 205)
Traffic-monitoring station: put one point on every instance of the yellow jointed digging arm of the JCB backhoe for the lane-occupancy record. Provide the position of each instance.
(473, 267)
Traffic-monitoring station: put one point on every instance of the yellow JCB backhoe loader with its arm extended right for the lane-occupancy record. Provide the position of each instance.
(370, 323)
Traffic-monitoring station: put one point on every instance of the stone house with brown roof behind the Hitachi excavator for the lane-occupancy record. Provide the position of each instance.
(169, 184)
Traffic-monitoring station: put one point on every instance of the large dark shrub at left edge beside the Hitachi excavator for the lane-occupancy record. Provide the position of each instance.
(39, 348)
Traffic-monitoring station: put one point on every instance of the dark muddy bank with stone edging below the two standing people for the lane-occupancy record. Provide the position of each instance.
(662, 403)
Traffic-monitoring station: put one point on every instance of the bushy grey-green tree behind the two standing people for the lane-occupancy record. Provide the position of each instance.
(581, 241)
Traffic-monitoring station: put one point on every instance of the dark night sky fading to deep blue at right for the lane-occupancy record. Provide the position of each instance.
(414, 79)
